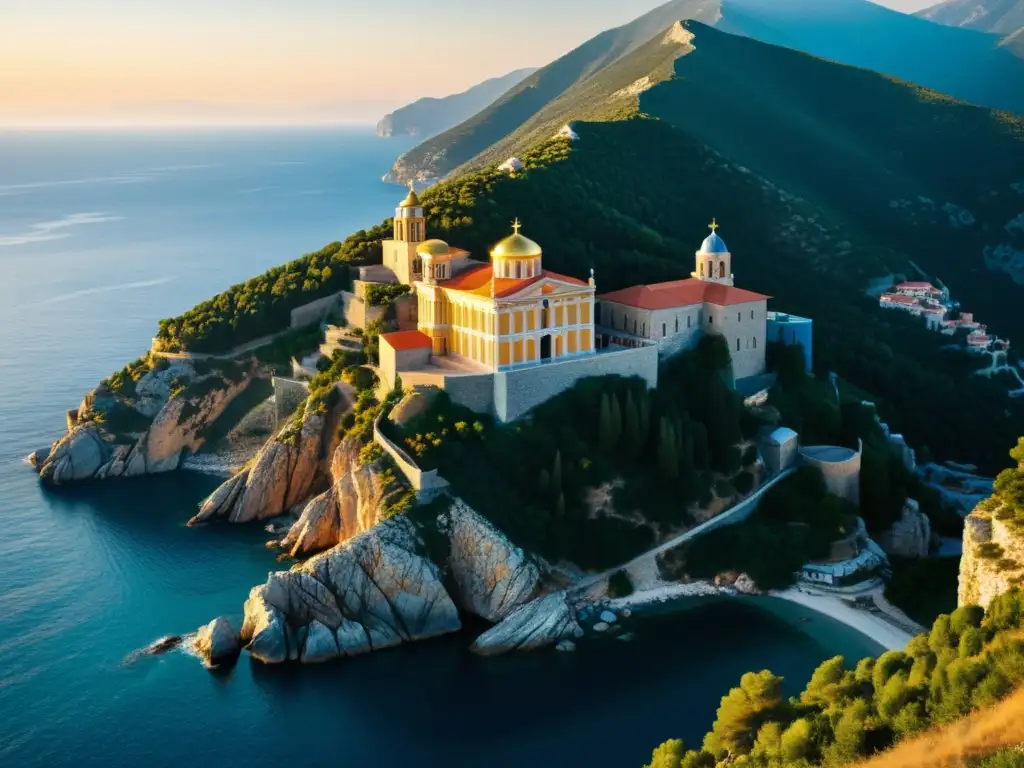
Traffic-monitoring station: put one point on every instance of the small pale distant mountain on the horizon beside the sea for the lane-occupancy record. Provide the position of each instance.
(429, 117)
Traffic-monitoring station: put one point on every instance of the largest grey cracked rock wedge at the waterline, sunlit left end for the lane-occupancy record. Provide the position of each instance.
(376, 591)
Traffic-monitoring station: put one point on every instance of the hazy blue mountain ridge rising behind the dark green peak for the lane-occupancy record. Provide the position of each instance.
(965, 64)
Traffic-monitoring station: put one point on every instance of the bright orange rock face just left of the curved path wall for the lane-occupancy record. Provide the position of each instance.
(354, 504)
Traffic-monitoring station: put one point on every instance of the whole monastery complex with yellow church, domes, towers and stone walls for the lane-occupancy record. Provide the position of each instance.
(505, 336)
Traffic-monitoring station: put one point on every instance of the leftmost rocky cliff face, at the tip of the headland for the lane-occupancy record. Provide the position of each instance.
(91, 450)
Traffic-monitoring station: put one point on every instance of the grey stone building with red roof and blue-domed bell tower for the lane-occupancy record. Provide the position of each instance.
(675, 315)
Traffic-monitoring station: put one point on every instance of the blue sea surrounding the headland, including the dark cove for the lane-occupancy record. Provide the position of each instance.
(102, 235)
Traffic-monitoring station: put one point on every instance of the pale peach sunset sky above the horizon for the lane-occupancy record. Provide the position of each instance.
(164, 62)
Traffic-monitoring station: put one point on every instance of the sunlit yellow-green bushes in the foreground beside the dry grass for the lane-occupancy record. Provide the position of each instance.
(970, 660)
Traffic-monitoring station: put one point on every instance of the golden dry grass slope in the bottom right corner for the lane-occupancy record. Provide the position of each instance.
(973, 738)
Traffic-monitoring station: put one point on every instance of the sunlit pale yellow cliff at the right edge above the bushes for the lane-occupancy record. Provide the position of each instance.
(994, 559)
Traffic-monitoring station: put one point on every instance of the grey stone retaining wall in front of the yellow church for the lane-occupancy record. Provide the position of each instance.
(518, 393)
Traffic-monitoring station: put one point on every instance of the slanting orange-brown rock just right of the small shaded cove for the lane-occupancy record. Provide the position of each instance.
(281, 477)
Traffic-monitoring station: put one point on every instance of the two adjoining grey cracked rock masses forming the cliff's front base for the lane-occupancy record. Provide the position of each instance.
(387, 586)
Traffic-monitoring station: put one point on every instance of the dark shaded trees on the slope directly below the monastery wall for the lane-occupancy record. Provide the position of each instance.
(547, 481)
